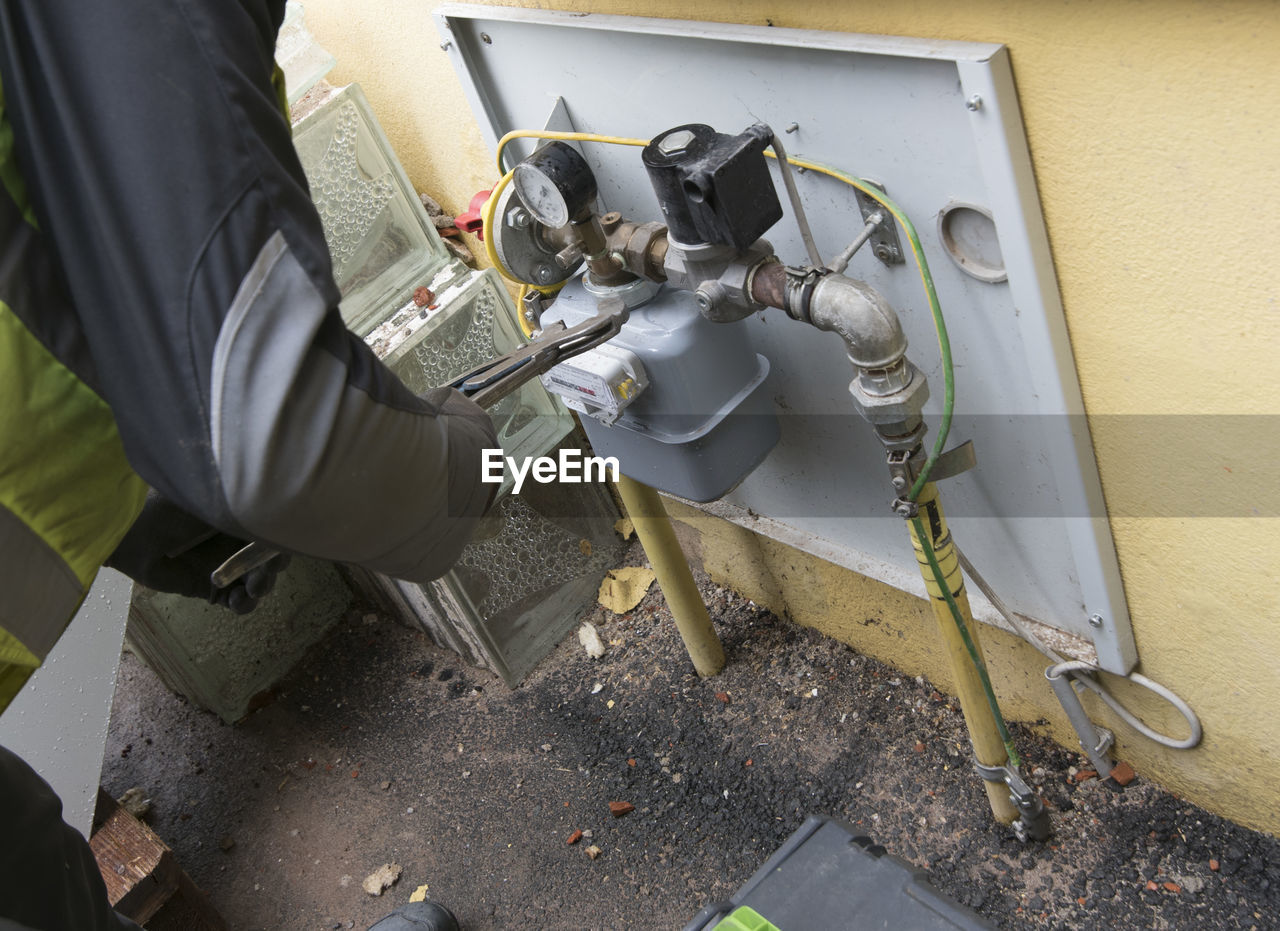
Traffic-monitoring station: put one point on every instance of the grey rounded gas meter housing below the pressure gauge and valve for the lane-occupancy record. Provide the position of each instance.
(706, 421)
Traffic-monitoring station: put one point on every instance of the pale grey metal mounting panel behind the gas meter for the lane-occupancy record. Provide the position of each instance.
(936, 124)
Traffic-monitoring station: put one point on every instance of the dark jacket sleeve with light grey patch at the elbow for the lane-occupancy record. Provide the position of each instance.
(163, 171)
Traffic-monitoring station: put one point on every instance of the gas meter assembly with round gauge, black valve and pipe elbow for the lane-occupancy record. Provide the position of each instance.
(679, 396)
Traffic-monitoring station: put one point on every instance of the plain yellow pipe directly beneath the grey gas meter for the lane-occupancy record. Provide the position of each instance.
(653, 528)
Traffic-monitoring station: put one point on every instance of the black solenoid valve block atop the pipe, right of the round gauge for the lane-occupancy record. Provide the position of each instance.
(714, 189)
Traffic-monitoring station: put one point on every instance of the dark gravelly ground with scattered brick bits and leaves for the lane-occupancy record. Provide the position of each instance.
(382, 749)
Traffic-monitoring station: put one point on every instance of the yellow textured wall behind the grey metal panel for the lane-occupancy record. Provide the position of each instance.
(1154, 135)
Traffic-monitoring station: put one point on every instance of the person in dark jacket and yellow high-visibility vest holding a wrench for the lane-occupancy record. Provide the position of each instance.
(171, 348)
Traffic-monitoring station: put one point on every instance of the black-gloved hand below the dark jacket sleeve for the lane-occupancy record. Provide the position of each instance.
(170, 550)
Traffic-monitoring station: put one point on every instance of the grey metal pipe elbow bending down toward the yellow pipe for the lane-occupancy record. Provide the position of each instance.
(863, 318)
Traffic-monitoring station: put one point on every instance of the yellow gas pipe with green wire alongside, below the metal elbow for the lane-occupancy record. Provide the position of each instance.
(989, 746)
